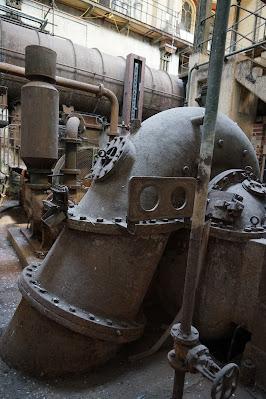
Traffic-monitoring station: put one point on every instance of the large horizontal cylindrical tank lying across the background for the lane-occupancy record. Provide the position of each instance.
(162, 91)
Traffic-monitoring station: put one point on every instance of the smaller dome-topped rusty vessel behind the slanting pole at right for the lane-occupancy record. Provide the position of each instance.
(230, 275)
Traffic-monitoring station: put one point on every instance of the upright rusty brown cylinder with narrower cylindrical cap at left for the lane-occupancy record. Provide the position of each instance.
(39, 110)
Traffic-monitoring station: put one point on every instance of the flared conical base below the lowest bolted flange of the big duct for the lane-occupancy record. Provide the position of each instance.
(41, 347)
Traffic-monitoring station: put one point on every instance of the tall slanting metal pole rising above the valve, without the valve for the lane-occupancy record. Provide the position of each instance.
(205, 163)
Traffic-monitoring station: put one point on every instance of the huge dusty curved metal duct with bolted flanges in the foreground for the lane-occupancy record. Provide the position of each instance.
(84, 300)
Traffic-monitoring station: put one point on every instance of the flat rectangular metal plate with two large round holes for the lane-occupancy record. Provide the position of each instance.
(160, 197)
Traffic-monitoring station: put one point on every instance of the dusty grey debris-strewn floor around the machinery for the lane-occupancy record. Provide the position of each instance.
(151, 378)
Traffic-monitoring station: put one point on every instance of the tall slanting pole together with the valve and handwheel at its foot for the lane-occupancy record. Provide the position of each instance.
(187, 354)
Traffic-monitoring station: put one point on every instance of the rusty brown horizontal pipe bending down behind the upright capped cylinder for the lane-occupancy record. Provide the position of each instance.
(73, 84)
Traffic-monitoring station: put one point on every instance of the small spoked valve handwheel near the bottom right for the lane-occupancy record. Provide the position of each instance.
(225, 382)
